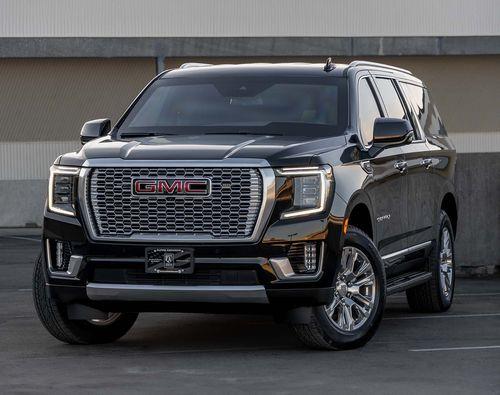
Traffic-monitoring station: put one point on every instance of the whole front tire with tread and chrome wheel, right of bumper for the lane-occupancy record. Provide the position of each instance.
(324, 330)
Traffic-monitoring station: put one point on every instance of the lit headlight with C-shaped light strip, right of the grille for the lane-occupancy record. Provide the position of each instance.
(311, 189)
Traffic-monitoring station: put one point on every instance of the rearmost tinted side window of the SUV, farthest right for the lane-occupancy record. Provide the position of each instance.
(425, 110)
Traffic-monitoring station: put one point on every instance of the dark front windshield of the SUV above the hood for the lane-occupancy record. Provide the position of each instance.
(315, 106)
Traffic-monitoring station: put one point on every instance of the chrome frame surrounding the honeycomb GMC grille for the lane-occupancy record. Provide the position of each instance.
(268, 197)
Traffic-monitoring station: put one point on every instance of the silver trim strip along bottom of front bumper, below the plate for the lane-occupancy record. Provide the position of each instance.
(175, 293)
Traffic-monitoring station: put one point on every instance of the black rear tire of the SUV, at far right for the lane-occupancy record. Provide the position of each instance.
(432, 297)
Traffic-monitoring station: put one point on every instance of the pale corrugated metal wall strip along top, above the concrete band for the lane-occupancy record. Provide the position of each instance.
(242, 18)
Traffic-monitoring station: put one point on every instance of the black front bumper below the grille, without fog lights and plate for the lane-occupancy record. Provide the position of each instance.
(111, 275)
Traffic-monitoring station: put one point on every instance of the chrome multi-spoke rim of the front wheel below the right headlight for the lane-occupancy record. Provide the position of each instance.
(355, 290)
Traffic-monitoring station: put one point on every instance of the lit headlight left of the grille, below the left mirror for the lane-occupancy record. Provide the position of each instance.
(62, 190)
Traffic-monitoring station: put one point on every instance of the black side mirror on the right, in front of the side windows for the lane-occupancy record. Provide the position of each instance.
(391, 132)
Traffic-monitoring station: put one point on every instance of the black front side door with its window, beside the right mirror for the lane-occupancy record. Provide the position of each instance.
(386, 188)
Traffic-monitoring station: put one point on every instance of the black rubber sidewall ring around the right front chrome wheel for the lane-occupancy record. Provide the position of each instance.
(356, 238)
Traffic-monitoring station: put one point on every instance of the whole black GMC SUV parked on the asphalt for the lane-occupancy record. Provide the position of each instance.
(308, 191)
